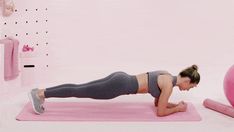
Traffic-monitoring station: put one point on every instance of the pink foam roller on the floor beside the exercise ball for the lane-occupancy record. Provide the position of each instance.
(224, 109)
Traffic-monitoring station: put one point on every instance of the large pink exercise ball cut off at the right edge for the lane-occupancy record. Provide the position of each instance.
(228, 85)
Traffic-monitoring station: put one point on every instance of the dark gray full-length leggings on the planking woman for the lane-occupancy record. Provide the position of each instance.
(116, 84)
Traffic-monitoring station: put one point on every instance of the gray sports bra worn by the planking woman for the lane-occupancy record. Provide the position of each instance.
(154, 89)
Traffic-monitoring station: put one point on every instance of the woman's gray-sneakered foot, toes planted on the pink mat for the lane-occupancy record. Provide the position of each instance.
(37, 101)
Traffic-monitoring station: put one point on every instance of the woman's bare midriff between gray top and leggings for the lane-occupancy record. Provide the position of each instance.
(142, 80)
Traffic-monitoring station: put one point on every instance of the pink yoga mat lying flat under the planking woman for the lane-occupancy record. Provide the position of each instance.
(104, 111)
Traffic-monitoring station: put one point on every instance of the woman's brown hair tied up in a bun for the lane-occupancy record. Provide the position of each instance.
(192, 73)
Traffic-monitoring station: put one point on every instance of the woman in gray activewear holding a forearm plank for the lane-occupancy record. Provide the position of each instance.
(158, 83)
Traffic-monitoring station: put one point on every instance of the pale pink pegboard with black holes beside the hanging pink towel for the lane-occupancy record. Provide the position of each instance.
(29, 24)
